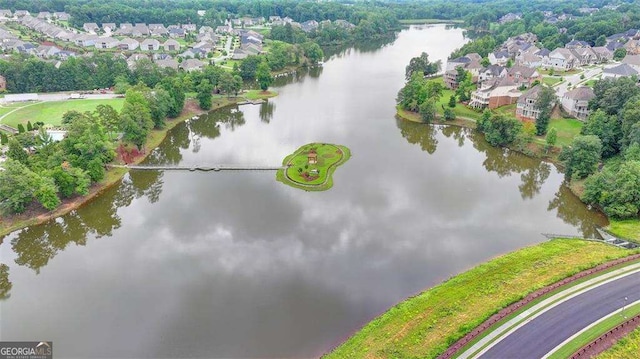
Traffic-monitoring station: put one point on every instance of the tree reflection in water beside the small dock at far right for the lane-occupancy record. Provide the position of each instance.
(571, 210)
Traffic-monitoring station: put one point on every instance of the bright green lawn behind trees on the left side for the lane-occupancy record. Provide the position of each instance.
(51, 112)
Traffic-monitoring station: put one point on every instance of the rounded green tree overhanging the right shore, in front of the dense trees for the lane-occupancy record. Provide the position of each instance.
(581, 159)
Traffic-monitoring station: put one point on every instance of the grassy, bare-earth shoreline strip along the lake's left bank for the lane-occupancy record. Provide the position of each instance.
(113, 175)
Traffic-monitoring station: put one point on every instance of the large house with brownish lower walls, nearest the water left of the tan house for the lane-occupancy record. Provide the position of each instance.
(495, 93)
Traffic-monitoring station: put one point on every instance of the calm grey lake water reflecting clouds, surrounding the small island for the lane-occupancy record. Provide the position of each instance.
(183, 264)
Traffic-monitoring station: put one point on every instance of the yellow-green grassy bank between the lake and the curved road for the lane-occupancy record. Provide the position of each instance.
(425, 325)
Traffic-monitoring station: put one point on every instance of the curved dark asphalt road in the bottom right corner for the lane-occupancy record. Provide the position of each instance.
(539, 336)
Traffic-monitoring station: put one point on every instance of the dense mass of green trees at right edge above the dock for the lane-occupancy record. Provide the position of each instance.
(611, 136)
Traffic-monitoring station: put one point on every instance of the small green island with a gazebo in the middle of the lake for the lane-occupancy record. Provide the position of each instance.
(311, 166)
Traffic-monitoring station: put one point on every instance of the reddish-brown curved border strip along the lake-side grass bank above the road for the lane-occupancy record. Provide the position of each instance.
(453, 349)
